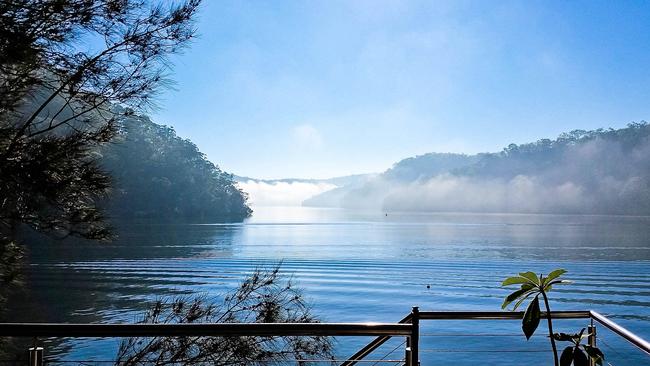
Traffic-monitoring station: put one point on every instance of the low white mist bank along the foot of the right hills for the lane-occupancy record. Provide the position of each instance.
(522, 194)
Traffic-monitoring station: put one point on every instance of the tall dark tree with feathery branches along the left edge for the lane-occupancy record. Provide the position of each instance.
(64, 66)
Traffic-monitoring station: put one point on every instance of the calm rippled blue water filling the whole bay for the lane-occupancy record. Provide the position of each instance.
(361, 266)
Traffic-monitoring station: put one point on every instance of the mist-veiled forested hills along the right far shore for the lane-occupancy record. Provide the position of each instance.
(590, 172)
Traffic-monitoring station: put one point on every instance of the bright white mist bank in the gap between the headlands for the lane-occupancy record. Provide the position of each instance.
(282, 193)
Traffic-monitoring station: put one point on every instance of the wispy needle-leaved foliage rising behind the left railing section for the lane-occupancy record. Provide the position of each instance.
(263, 297)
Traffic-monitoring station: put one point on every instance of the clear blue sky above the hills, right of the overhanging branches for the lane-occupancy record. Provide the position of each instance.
(328, 88)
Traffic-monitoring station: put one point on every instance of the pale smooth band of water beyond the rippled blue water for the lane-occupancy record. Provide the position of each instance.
(337, 233)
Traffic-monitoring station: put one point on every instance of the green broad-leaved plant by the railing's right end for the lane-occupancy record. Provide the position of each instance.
(533, 286)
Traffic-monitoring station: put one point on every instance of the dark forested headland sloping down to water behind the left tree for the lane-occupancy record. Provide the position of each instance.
(157, 174)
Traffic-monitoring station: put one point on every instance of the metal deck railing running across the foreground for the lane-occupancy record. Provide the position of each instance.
(408, 327)
